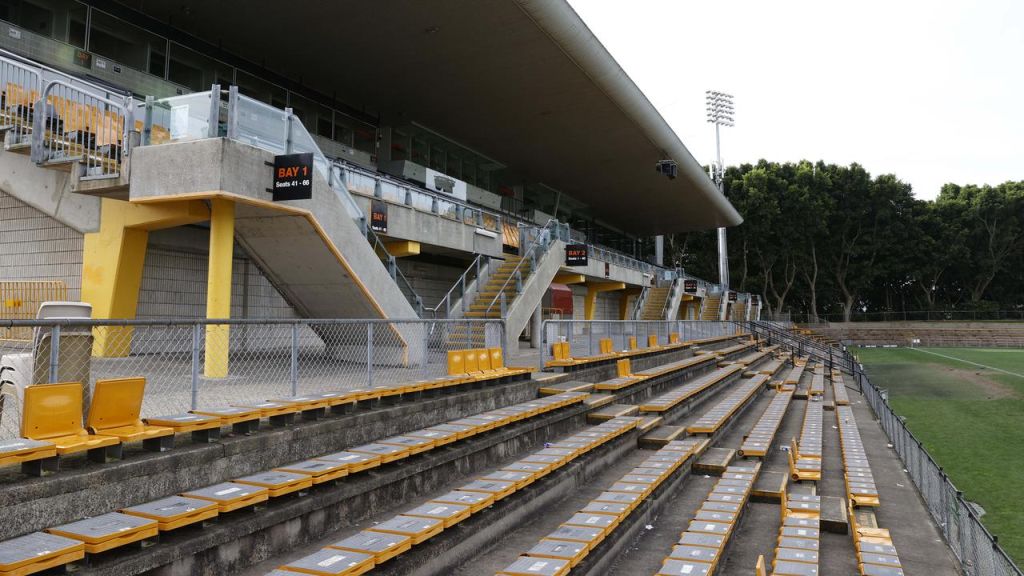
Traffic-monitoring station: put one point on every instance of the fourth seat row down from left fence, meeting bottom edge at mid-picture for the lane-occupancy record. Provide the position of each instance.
(558, 553)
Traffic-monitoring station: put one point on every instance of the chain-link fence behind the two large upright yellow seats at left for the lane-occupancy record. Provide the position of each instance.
(190, 364)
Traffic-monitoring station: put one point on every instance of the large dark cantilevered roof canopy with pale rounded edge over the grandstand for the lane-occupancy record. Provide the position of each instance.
(524, 81)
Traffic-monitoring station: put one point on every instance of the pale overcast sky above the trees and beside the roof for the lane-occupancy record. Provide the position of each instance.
(932, 92)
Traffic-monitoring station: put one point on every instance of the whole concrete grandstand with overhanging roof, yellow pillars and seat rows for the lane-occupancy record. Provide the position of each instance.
(251, 328)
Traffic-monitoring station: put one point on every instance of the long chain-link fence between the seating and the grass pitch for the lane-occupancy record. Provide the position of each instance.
(978, 551)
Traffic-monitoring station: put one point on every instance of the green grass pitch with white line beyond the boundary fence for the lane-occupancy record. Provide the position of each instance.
(970, 419)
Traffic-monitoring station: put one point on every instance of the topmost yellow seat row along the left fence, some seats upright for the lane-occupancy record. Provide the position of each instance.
(53, 415)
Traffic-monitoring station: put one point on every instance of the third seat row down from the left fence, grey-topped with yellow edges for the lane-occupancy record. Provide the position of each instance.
(359, 554)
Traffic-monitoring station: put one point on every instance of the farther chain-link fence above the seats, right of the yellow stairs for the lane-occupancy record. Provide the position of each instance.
(585, 336)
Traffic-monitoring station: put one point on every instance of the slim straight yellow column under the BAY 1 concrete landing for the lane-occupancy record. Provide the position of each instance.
(219, 287)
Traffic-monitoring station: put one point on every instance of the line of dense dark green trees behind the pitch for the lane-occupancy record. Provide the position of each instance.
(827, 239)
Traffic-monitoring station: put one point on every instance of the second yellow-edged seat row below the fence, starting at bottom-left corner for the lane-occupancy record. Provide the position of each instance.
(38, 552)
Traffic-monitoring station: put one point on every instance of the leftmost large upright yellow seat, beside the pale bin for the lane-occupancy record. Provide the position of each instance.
(54, 414)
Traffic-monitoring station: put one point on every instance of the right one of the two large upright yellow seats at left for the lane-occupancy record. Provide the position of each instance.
(115, 412)
